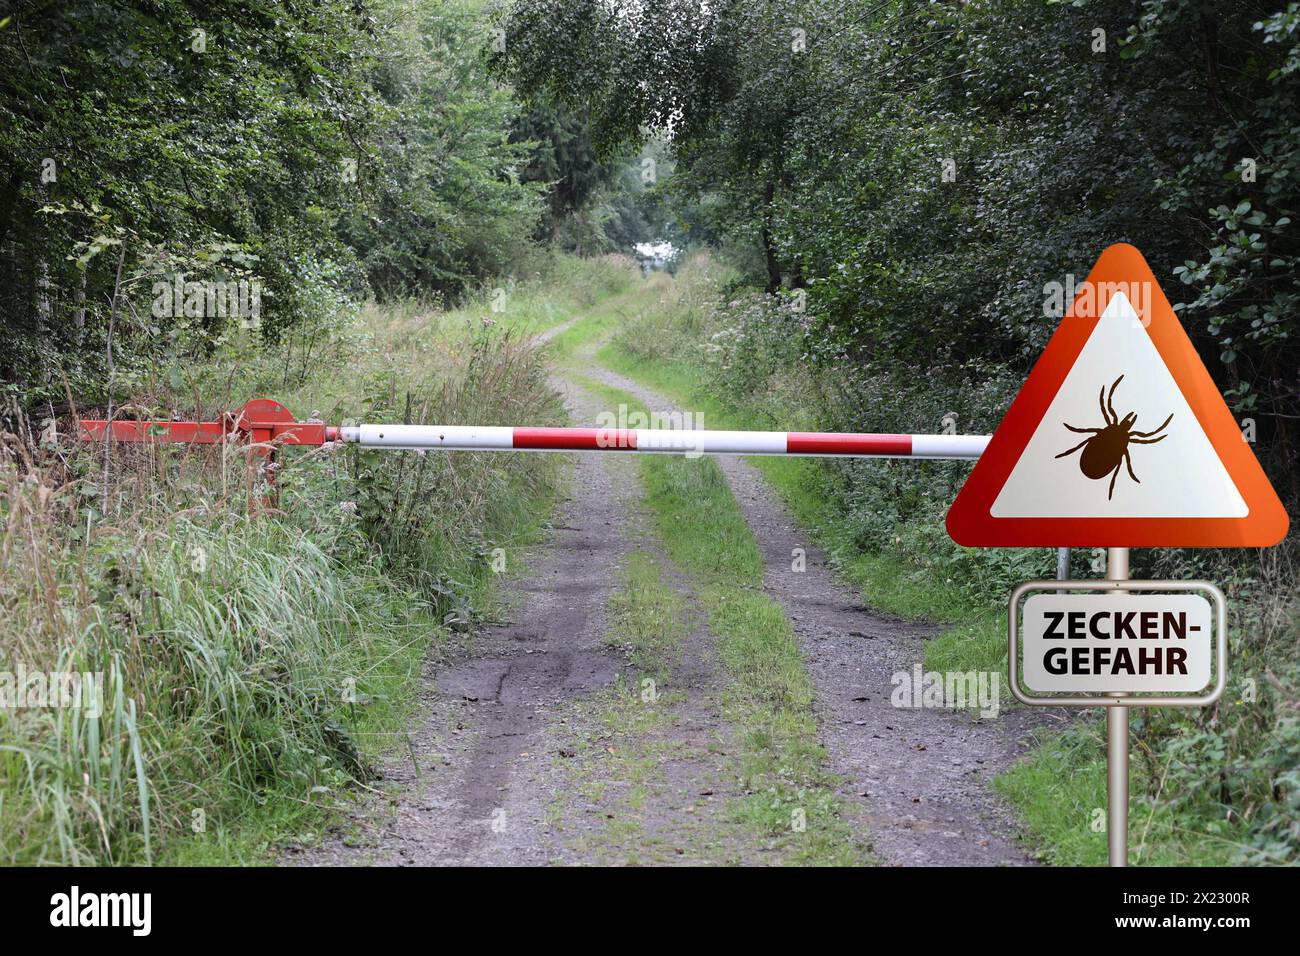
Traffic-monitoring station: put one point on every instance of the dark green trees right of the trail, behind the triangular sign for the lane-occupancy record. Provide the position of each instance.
(922, 171)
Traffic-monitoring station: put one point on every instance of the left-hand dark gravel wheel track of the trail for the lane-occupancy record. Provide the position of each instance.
(473, 786)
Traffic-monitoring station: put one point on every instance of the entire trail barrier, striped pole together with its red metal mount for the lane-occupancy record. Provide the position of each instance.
(267, 425)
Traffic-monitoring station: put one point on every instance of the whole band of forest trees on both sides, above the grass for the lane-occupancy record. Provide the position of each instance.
(921, 170)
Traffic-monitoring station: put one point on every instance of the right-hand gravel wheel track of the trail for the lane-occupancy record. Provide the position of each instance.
(921, 777)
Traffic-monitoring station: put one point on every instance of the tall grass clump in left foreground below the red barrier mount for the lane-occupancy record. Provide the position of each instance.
(231, 652)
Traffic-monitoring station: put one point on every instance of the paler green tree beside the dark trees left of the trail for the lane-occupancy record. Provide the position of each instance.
(447, 200)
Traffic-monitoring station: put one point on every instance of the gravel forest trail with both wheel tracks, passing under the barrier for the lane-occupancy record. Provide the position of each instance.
(535, 745)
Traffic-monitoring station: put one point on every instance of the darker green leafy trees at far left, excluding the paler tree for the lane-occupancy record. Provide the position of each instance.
(135, 137)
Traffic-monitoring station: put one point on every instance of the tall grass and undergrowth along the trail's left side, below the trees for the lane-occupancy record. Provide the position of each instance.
(250, 668)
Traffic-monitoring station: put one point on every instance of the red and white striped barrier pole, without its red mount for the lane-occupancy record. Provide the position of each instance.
(691, 442)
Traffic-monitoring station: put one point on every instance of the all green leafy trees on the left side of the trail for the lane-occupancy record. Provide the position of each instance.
(319, 152)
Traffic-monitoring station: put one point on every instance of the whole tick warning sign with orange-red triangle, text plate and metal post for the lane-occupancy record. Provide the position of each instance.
(1119, 439)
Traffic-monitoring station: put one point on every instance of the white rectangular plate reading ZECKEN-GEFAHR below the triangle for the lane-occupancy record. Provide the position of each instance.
(1117, 643)
